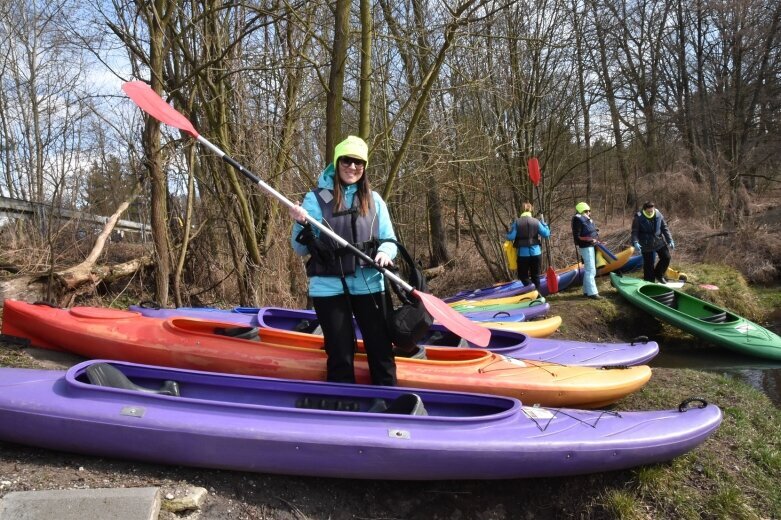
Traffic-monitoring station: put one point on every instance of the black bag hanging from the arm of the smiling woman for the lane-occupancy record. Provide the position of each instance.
(410, 322)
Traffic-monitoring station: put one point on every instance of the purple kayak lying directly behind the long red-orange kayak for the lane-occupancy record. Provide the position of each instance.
(508, 343)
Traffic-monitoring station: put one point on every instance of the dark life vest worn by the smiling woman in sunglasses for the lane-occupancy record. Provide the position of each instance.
(359, 230)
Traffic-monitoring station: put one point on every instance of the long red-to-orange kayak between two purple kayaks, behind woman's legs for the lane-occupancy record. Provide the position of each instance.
(198, 344)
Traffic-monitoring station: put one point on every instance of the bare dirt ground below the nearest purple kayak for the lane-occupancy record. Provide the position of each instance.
(235, 495)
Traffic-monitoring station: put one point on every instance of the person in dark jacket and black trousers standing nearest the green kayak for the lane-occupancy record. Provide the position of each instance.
(651, 236)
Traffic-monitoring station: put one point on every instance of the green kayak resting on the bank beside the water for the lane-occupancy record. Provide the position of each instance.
(699, 317)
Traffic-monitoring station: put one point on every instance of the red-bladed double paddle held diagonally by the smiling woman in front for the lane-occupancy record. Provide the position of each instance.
(151, 103)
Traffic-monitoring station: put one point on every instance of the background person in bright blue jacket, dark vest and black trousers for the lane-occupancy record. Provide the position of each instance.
(525, 234)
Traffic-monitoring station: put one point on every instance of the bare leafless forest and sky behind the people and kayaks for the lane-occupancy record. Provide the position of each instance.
(678, 101)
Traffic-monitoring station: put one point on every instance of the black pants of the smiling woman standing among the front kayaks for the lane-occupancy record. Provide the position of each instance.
(334, 315)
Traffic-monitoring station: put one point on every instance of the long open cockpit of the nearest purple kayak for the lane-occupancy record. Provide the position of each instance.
(235, 391)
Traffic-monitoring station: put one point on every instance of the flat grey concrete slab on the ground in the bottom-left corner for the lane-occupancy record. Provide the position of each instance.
(78, 504)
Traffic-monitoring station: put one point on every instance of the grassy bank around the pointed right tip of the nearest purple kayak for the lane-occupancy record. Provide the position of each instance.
(730, 476)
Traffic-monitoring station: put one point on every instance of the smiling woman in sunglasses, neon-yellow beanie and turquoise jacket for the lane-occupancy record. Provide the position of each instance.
(340, 283)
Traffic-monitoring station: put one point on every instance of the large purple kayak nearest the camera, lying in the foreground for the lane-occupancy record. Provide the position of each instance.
(233, 422)
